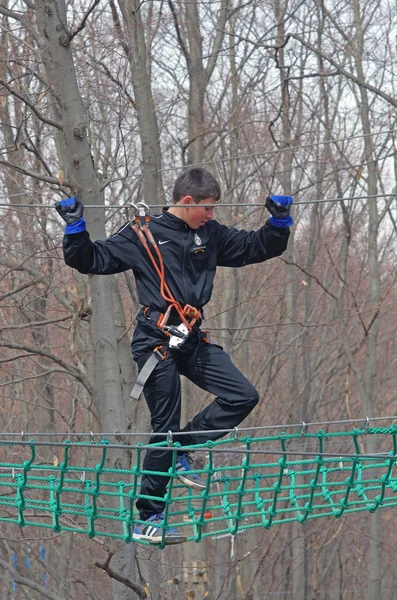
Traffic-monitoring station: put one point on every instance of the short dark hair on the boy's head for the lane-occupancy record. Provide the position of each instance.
(198, 183)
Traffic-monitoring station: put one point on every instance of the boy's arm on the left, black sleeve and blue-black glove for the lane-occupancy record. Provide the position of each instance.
(96, 258)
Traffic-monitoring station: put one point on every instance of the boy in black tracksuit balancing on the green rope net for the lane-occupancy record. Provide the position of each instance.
(192, 245)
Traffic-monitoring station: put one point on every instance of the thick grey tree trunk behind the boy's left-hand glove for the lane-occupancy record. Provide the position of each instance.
(58, 61)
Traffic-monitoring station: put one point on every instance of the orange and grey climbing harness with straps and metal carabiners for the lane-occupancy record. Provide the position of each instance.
(188, 315)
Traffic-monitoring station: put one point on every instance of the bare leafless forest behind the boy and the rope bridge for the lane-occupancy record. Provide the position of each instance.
(112, 100)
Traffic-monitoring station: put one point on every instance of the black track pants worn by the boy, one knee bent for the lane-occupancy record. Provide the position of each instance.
(210, 368)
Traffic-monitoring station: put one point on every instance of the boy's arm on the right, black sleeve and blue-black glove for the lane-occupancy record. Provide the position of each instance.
(237, 247)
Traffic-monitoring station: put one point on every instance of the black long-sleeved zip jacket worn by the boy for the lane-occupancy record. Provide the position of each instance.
(190, 256)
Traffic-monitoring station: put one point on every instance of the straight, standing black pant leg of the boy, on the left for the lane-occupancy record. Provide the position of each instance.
(163, 396)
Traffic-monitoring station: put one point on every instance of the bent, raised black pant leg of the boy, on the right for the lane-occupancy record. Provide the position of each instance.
(213, 370)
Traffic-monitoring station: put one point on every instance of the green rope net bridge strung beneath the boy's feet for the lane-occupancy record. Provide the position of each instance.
(260, 481)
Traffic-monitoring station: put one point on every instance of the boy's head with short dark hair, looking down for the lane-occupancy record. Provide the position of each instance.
(192, 189)
